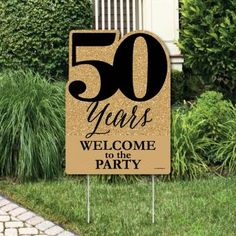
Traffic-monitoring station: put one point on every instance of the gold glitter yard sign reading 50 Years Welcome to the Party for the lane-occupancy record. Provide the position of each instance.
(117, 104)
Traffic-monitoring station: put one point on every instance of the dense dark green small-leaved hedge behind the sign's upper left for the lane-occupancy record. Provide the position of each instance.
(34, 34)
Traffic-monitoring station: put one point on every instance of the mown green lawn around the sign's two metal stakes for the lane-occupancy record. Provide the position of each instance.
(201, 207)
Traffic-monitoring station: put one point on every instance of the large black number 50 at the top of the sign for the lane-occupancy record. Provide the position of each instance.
(120, 74)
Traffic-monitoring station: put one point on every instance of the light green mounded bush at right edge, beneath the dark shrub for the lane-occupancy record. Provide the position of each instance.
(219, 127)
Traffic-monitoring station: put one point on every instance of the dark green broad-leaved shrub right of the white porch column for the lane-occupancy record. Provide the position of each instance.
(207, 40)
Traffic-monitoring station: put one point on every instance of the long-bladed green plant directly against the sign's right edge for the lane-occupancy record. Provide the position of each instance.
(186, 143)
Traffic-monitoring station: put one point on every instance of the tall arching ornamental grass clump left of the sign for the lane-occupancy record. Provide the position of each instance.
(31, 126)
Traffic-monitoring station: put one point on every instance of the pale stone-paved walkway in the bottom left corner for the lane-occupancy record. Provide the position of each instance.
(16, 220)
